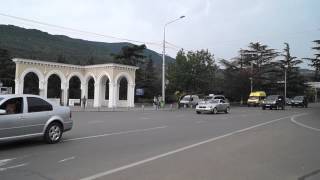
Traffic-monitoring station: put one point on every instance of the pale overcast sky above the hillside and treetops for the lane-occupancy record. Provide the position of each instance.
(221, 26)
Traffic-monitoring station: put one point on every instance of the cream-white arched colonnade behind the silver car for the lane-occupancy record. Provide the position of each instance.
(112, 85)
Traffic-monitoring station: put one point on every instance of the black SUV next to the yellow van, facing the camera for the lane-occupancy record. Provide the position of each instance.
(274, 102)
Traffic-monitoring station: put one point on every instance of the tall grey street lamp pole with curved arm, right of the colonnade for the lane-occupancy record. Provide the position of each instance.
(164, 59)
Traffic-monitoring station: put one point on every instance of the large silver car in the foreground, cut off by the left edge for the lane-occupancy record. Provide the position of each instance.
(24, 116)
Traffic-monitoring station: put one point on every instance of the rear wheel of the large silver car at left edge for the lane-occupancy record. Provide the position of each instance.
(53, 133)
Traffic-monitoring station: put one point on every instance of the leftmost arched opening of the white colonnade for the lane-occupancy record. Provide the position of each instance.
(31, 84)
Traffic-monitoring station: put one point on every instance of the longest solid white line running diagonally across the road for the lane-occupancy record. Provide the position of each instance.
(108, 172)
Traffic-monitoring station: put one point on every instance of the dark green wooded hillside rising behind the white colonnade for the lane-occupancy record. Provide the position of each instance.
(35, 44)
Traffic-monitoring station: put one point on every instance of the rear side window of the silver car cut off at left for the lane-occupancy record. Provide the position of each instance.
(38, 105)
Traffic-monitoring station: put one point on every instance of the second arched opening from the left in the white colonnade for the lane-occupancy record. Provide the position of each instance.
(54, 87)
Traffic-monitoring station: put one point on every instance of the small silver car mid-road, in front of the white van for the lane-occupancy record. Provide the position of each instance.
(213, 106)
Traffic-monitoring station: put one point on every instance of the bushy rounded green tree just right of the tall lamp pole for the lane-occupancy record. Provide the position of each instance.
(193, 72)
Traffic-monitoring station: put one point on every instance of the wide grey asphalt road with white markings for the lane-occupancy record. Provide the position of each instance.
(248, 143)
